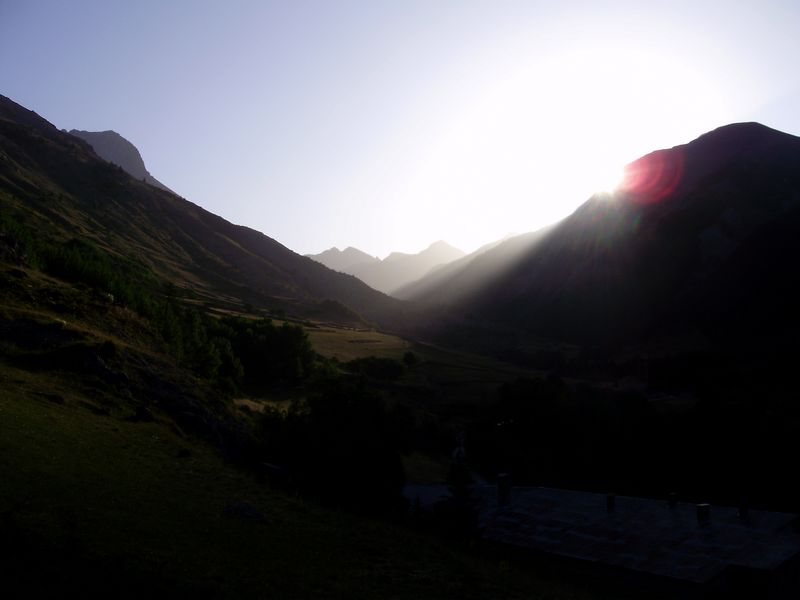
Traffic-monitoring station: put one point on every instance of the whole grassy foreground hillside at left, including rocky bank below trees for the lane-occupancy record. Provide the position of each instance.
(120, 477)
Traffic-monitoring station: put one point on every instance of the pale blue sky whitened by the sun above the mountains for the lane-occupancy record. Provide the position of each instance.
(388, 125)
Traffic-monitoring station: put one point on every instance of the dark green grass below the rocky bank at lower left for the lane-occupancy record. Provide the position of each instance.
(95, 502)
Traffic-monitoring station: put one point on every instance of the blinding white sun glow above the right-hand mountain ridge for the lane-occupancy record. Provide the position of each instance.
(541, 138)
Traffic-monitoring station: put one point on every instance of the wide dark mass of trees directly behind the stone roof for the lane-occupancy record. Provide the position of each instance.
(718, 449)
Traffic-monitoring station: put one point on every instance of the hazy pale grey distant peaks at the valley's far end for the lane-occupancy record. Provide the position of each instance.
(393, 272)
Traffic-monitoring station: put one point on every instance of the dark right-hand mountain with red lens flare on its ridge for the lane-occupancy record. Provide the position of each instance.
(699, 243)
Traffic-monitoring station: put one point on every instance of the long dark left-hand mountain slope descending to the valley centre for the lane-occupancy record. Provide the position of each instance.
(55, 182)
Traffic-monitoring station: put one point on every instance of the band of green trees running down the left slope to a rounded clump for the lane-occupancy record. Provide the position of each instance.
(231, 352)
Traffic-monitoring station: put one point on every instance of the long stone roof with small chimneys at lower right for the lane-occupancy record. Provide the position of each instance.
(640, 534)
